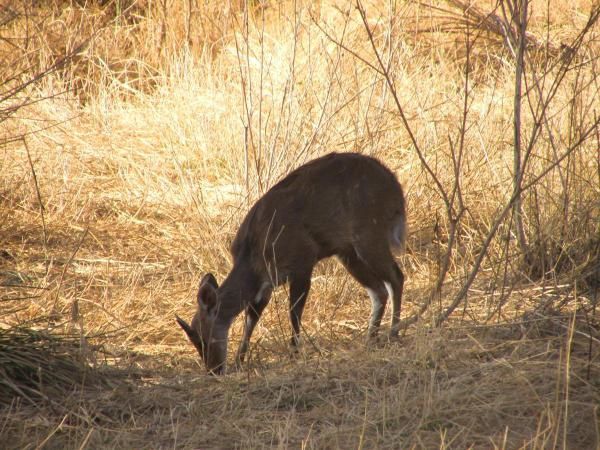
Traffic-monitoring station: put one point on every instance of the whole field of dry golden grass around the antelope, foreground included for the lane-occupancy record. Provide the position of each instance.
(143, 184)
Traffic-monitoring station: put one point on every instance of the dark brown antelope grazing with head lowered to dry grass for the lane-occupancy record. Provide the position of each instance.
(348, 205)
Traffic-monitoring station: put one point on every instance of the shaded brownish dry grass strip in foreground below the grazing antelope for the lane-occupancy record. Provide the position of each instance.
(528, 384)
